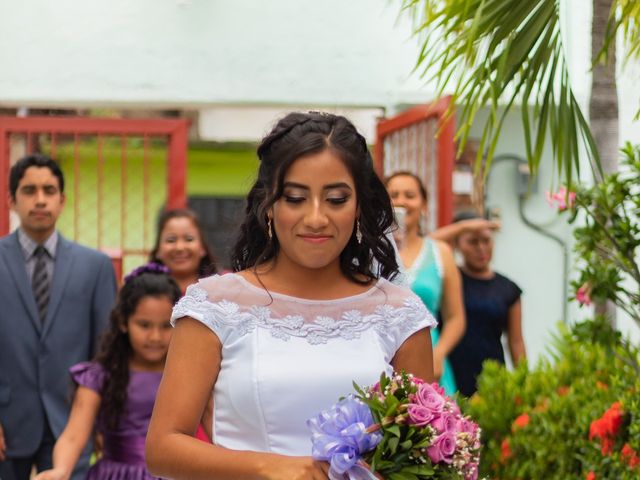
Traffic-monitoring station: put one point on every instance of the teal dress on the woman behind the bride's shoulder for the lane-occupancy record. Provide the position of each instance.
(425, 279)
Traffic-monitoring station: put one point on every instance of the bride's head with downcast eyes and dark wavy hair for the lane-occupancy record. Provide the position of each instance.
(316, 175)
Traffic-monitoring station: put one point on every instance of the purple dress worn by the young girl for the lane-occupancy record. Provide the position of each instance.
(123, 456)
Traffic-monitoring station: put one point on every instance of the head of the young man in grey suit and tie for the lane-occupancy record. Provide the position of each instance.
(36, 194)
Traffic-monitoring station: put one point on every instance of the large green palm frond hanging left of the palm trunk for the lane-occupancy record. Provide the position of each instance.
(498, 54)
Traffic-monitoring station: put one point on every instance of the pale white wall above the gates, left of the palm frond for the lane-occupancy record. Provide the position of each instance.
(205, 52)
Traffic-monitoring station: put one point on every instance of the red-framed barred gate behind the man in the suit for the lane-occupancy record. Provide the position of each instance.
(118, 173)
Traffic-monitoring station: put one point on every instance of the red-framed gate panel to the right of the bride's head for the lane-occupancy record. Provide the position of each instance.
(421, 141)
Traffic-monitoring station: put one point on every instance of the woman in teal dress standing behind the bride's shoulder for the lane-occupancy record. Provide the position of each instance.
(431, 272)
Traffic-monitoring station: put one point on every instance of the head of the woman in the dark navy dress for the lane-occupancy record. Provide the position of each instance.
(475, 246)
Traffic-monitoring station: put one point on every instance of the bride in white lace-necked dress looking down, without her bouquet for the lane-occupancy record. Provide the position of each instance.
(306, 314)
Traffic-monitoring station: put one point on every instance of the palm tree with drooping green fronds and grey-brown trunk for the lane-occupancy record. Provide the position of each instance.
(503, 53)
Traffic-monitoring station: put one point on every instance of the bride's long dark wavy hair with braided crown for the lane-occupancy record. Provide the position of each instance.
(298, 135)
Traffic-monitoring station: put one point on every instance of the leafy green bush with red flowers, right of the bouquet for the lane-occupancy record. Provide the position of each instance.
(541, 423)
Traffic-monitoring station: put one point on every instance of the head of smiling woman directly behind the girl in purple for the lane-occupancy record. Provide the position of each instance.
(181, 246)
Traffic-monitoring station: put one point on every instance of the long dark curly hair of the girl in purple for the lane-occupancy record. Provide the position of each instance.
(115, 348)
